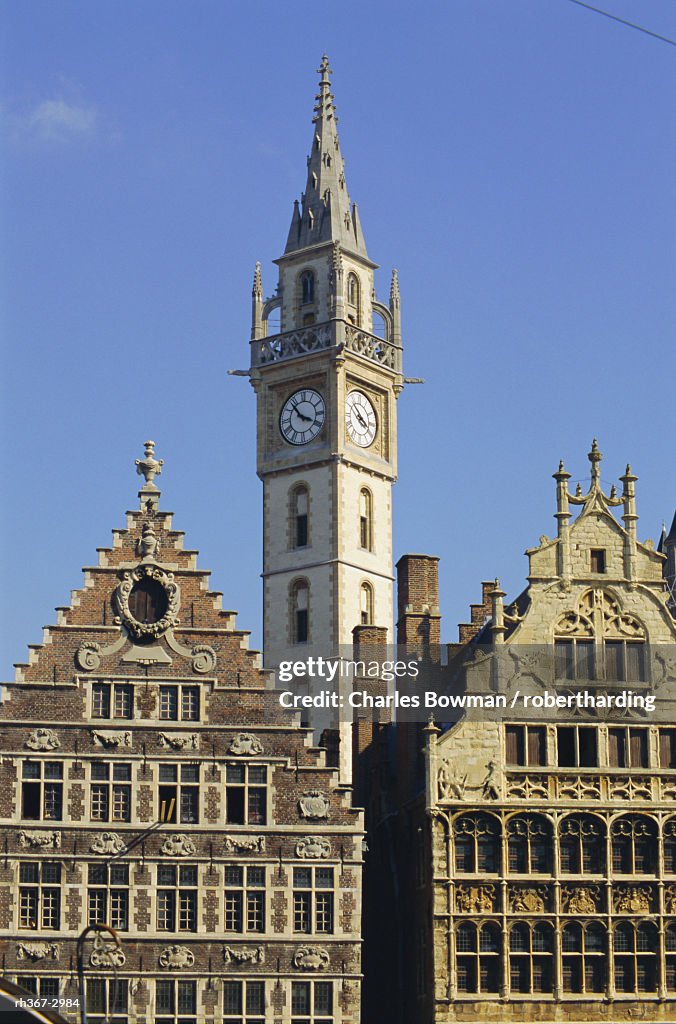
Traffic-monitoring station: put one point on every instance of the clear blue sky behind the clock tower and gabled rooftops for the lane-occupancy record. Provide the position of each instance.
(514, 159)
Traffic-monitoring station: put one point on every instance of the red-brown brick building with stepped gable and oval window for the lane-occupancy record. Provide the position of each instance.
(152, 784)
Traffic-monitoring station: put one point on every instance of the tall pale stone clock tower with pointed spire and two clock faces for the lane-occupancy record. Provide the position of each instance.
(327, 377)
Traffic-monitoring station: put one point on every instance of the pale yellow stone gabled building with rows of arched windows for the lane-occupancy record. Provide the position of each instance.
(544, 854)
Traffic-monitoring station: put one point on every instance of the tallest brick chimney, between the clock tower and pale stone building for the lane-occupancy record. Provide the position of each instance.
(419, 620)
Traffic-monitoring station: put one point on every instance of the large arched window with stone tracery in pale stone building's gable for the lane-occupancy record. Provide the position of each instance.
(600, 642)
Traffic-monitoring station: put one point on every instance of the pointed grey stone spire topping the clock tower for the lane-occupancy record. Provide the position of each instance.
(325, 212)
